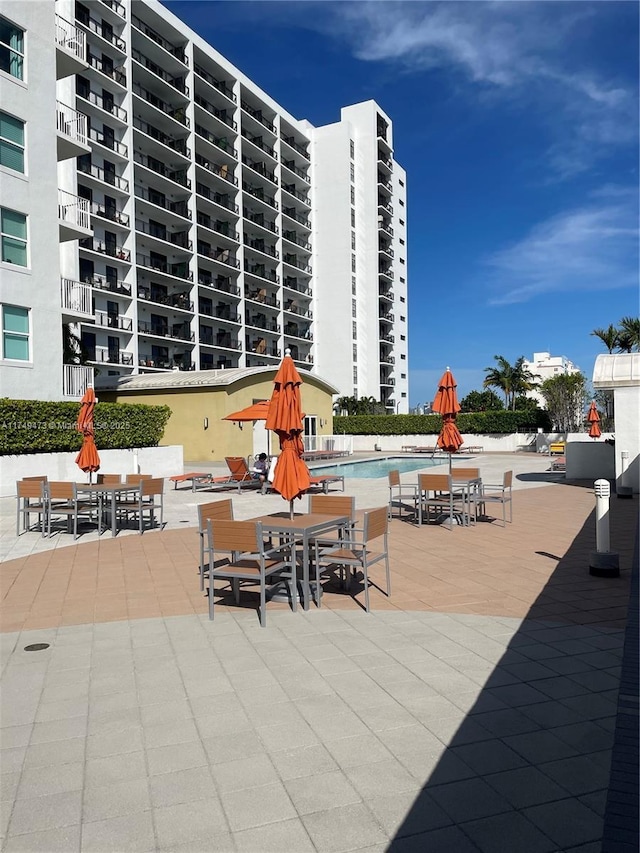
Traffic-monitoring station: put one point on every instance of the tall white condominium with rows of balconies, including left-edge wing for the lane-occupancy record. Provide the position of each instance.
(172, 215)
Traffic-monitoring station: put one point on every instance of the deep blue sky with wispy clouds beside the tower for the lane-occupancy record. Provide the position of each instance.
(517, 124)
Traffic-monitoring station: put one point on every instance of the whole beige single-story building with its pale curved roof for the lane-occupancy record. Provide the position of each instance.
(199, 400)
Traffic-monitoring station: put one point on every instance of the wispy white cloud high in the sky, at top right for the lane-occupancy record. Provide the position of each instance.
(520, 51)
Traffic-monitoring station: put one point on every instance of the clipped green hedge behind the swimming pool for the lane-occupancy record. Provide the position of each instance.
(478, 423)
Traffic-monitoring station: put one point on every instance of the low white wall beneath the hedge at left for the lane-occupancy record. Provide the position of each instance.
(159, 461)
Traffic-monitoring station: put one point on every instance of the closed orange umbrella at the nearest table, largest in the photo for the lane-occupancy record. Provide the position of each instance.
(291, 476)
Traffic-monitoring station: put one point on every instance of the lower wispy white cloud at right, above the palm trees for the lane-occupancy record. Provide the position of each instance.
(594, 247)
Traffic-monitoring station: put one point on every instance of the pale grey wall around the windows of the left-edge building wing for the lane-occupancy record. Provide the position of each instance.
(35, 193)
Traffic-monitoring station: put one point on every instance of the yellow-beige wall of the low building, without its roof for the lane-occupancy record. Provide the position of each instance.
(220, 438)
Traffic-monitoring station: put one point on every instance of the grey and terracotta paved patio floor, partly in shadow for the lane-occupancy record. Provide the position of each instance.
(472, 711)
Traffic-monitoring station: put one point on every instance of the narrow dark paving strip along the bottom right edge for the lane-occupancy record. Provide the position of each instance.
(621, 824)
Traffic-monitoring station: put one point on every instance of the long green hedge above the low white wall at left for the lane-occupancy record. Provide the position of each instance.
(36, 426)
